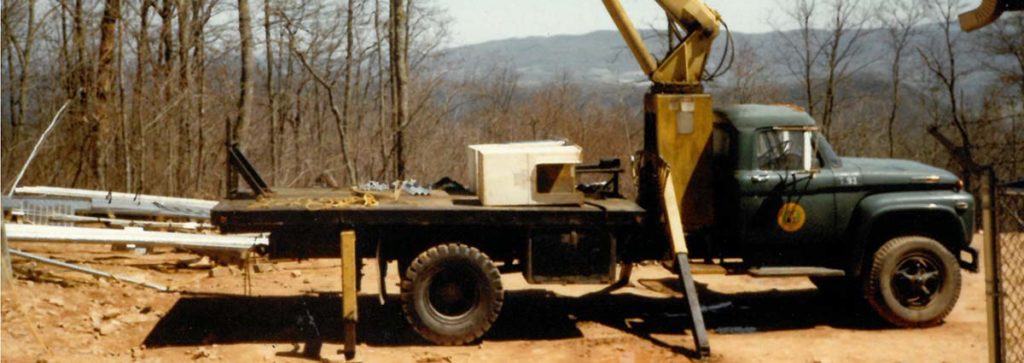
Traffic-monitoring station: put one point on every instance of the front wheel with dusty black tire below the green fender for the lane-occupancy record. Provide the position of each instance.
(914, 281)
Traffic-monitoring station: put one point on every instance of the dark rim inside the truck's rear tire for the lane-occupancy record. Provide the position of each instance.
(453, 293)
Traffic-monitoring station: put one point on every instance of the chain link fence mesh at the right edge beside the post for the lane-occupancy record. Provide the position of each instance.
(1010, 217)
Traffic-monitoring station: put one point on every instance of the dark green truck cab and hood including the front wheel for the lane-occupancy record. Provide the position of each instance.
(897, 232)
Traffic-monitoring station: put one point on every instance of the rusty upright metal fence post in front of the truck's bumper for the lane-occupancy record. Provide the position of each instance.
(992, 256)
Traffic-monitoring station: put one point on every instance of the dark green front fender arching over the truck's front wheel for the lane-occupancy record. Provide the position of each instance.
(953, 211)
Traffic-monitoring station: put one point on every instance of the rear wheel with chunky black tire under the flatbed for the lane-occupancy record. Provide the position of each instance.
(452, 295)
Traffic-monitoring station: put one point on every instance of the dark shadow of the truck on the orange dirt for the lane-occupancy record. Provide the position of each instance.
(531, 314)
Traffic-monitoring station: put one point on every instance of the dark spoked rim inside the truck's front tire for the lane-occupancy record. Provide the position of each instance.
(917, 280)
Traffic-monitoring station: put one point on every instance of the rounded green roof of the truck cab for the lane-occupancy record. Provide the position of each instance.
(752, 117)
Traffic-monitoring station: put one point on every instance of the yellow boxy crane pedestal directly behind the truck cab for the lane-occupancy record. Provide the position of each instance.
(684, 125)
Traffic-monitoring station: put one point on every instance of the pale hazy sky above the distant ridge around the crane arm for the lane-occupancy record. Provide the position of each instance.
(480, 21)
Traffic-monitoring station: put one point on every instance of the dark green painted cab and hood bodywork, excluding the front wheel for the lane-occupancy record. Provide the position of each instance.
(840, 199)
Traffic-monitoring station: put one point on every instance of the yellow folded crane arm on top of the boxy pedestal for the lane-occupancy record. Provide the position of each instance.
(686, 63)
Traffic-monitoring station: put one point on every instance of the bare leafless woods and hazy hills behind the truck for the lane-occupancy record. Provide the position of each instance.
(356, 91)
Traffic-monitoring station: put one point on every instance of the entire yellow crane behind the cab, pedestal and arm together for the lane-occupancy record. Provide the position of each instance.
(678, 116)
